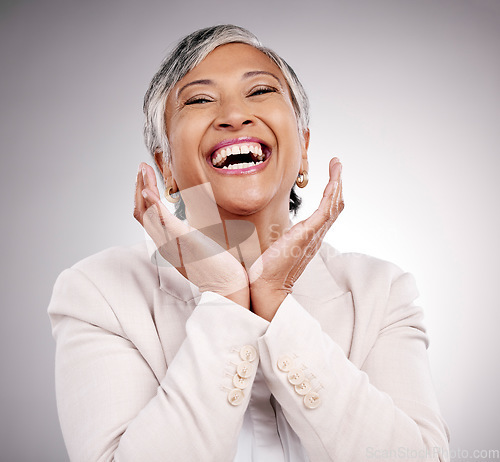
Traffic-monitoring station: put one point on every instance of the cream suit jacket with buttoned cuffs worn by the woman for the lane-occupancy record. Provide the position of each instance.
(145, 363)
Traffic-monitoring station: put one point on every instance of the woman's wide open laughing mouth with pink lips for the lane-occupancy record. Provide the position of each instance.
(240, 155)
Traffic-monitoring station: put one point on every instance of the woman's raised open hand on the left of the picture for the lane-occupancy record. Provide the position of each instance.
(197, 257)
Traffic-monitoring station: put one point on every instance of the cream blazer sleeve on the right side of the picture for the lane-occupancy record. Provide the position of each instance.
(385, 409)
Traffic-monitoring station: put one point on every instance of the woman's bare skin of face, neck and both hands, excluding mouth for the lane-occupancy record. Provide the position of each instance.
(236, 91)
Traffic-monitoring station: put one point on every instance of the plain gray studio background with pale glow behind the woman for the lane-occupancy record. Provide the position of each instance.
(406, 93)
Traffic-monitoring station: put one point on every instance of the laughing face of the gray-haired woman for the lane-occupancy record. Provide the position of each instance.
(230, 122)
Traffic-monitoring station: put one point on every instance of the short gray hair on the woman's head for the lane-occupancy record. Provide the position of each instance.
(189, 52)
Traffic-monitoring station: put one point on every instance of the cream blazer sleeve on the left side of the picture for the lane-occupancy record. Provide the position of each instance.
(111, 405)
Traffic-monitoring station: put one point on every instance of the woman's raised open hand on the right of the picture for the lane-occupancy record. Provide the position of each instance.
(274, 273)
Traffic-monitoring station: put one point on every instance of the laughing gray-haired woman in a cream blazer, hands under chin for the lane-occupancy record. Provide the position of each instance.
(238, 336)
